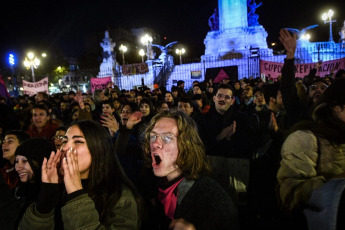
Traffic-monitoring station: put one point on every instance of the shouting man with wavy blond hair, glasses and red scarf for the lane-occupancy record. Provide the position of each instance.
(186, 197)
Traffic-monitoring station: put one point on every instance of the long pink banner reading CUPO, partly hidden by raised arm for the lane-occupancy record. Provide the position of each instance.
(274, 69)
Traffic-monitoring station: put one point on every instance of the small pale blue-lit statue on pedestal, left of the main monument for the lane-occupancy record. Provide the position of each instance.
(109, 61)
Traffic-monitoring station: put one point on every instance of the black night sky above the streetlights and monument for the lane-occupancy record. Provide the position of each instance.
(64, 24)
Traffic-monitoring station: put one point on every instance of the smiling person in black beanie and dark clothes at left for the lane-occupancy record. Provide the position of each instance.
(29, 157)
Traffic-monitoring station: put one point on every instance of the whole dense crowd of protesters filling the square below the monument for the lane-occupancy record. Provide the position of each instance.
(232, 155)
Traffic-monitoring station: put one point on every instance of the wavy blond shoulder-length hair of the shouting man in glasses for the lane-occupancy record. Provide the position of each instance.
(191, 158)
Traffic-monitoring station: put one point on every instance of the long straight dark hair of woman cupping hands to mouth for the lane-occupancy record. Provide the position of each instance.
(106, 177)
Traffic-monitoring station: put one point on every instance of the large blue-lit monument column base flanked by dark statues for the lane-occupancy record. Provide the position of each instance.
(237, 30)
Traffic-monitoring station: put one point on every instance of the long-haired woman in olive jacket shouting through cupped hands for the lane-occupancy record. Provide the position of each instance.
(95, 185)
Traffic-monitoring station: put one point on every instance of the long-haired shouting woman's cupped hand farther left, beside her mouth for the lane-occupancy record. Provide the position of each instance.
(51, 167)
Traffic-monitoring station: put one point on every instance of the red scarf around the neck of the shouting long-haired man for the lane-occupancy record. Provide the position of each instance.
(169, 199)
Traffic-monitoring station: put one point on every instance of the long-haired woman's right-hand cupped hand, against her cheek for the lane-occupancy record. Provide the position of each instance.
(71, 171)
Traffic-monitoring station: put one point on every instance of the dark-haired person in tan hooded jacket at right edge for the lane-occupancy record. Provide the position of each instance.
(313, 154)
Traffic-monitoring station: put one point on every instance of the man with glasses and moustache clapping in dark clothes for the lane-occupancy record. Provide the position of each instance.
(229, 141)
